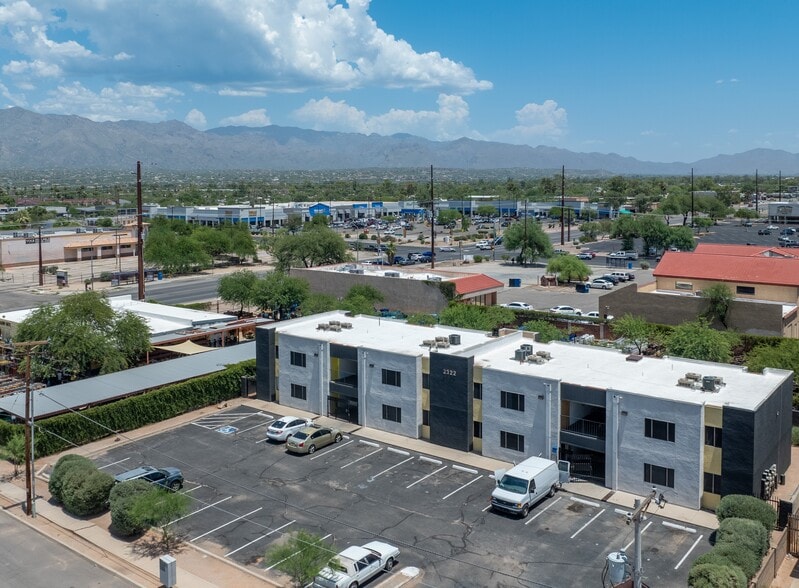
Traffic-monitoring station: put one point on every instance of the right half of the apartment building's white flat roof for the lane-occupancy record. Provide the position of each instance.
(608, 368)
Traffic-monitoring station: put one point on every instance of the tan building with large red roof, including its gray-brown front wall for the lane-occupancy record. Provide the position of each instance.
(763, 280)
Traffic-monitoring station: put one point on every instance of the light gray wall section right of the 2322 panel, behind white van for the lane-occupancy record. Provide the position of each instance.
(532, 423)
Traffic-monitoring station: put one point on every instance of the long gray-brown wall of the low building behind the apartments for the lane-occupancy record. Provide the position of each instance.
(409, 296)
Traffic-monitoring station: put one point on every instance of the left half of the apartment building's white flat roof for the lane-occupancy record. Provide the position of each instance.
(389, 335)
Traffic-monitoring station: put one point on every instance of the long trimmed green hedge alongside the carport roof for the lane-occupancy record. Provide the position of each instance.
(59, 433)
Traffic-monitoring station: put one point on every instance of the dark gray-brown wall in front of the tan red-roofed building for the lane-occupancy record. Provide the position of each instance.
(754, 318)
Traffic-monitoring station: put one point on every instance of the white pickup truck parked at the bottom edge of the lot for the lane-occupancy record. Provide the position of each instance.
(356, 565)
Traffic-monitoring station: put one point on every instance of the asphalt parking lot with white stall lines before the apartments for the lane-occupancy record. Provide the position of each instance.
(248, 491)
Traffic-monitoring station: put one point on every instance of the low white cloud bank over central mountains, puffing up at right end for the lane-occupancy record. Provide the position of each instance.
(448, 122)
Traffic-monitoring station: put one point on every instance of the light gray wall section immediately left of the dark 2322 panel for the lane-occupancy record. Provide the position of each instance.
(373, 394)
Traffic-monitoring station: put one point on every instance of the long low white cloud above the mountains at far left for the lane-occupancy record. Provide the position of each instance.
(122, 102)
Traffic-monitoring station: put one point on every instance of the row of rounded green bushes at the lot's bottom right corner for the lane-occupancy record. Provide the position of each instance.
(741, 542)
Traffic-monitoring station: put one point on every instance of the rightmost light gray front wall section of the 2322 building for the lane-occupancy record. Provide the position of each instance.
(625, 468)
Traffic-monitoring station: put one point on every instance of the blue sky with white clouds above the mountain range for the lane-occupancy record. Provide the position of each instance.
(657, 80)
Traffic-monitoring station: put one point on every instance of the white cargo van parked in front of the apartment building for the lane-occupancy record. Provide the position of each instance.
(521, 487)
